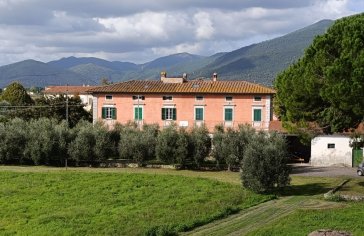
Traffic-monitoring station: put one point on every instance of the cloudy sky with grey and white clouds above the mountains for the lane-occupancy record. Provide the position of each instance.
(142, 30)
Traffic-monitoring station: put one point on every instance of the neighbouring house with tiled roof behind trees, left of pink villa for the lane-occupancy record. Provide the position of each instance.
(71, 91)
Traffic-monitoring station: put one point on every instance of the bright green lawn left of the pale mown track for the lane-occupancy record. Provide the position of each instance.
(54, 202)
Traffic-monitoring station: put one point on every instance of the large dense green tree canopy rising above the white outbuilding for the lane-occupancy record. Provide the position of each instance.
(326, 86)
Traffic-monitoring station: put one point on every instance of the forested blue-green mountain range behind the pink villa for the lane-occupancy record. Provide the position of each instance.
(258, 63)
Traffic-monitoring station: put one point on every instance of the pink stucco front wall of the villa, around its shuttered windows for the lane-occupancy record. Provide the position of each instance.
(213, 109)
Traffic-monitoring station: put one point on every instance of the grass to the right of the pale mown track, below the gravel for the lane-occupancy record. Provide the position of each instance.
(342, 216)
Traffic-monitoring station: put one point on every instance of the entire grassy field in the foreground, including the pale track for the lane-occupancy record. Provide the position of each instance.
(118, 201)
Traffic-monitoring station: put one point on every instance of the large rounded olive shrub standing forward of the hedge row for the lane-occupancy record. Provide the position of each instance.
(264, 166)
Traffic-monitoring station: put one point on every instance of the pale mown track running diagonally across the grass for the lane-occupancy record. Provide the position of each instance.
(252, 218)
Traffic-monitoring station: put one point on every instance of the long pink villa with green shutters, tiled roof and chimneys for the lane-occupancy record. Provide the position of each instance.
(185, 102)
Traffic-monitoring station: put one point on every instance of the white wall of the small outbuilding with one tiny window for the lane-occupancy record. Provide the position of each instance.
(321, 155)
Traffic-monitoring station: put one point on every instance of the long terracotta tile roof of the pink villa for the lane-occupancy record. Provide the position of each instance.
(191, 86)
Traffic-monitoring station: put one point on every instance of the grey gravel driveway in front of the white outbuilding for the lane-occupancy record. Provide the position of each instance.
(305, 169)
